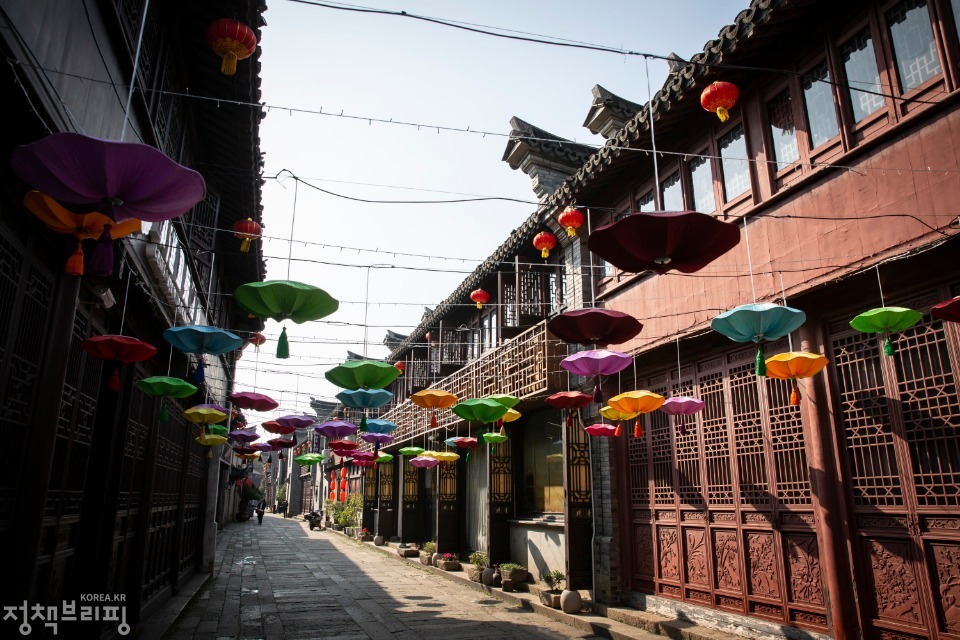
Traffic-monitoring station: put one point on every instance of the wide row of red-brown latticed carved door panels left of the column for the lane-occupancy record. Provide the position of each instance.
(723, 514)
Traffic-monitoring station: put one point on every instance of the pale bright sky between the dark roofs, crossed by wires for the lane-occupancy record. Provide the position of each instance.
(354, 69)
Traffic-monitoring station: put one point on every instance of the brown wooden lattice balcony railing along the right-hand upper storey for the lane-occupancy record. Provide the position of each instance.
(525, 366)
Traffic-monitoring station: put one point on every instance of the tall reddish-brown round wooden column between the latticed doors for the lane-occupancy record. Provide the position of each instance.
(828, 491)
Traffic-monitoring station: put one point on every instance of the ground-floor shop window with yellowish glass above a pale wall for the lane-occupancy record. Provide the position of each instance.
(542, 468)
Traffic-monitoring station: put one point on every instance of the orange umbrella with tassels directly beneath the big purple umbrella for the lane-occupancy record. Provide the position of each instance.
(82, 226)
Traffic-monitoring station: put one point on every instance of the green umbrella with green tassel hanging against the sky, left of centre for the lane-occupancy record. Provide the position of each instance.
(282, 300)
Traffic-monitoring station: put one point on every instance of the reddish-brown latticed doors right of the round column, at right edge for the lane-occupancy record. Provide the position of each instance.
(900, 421)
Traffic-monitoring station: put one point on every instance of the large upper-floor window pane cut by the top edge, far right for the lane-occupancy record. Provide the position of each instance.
(913, 45)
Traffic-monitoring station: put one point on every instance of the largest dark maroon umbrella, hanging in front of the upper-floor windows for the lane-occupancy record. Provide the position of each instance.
(660, 241)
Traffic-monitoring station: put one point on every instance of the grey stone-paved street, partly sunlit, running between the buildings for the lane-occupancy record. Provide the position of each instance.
(281, 580)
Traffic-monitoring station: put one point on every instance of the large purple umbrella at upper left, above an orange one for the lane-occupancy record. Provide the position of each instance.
(122, 180)
